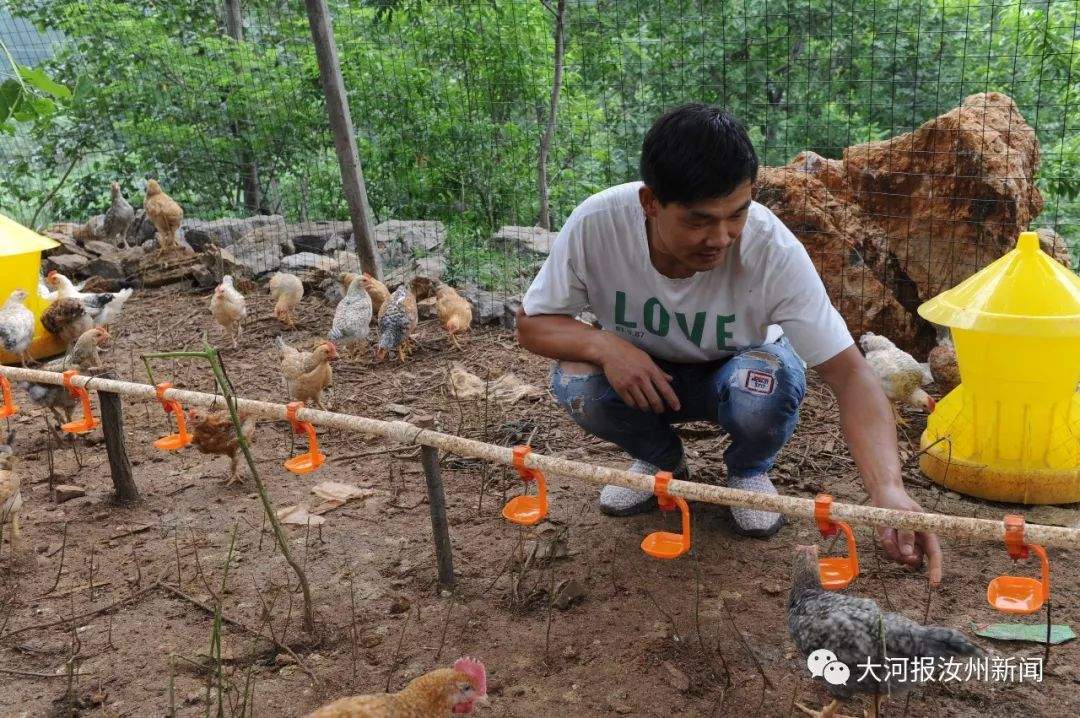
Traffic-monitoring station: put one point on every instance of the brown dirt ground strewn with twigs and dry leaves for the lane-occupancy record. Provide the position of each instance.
(703, 635)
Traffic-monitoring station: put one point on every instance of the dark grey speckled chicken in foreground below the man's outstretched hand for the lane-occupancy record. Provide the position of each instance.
(857, 632)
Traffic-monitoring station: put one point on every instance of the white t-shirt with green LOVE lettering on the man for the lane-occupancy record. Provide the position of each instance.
(765, 288)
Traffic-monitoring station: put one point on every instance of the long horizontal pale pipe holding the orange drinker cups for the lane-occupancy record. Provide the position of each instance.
(407, 433)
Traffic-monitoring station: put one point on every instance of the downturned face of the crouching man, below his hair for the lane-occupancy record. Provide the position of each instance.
(695, 238)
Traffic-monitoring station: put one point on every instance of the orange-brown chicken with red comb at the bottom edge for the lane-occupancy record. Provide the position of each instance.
(445, 693)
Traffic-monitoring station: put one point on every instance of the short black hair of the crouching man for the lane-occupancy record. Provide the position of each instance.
(697, 153)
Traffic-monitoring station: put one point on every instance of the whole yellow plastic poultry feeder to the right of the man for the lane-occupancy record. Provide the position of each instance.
(1011, 430)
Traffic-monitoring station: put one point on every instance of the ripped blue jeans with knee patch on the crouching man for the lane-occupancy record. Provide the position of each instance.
(754, 396)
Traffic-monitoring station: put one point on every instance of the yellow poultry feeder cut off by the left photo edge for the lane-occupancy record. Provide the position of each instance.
(20, 268)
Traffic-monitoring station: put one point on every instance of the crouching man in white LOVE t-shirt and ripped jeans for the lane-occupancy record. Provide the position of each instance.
(711, 309)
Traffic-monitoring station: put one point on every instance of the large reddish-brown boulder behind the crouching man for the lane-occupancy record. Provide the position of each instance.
(896, 223)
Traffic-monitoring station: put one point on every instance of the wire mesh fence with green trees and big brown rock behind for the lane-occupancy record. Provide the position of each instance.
(908, 141)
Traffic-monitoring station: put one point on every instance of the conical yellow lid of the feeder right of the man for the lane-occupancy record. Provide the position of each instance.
(1024, 294)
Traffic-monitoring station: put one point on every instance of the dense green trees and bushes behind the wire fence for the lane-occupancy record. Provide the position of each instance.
(450, 100)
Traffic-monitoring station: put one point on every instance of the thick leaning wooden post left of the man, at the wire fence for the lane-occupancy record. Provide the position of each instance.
(345, 140)
